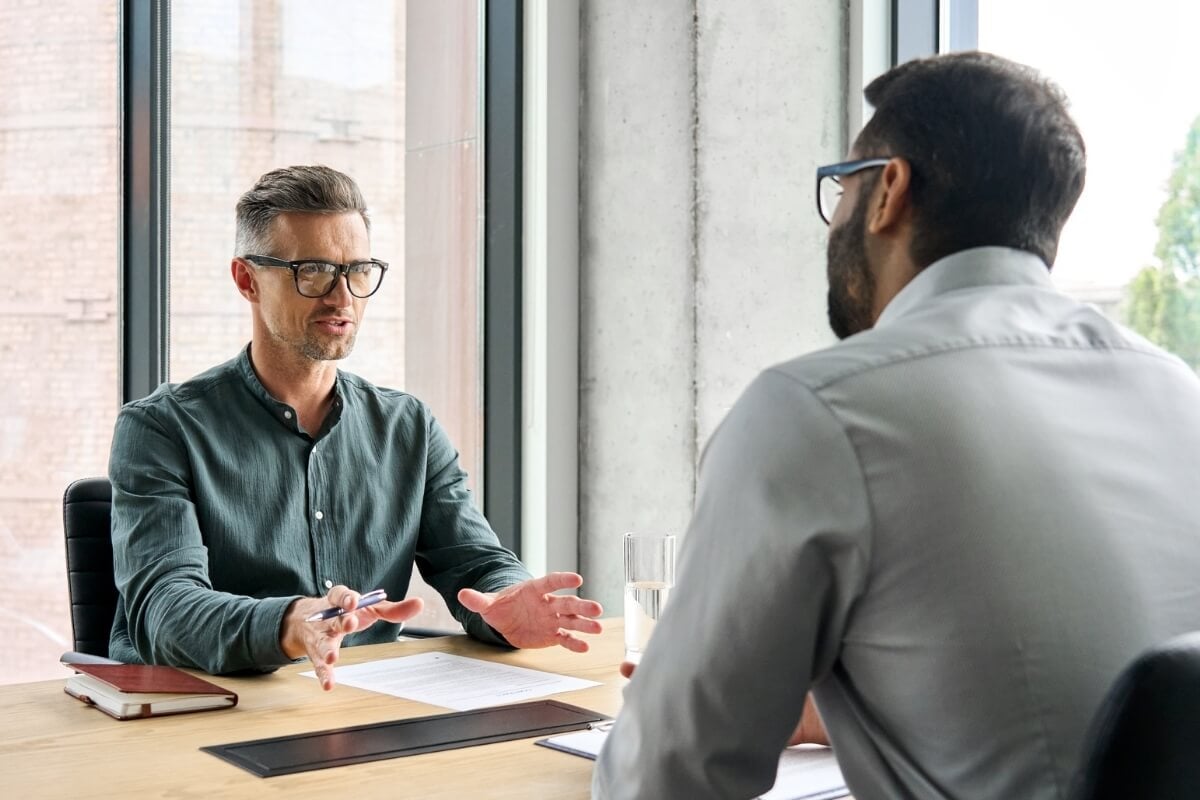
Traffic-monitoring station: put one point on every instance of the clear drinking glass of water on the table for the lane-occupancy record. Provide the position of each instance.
(650, 575)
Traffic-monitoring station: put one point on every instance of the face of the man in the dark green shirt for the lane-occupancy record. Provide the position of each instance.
(320, 329)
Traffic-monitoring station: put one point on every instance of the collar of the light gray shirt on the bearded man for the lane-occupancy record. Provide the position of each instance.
(979, 267)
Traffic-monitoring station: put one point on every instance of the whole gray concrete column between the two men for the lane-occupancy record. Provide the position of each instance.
(701, 251)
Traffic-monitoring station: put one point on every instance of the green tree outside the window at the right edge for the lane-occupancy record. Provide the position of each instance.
(1163, 302)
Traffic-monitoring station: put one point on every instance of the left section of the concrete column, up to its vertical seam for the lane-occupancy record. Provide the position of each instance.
(637, 279)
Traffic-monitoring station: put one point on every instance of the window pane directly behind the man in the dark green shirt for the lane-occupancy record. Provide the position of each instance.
(385, 92)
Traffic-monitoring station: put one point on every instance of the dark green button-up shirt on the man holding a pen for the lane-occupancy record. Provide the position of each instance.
(225, 512)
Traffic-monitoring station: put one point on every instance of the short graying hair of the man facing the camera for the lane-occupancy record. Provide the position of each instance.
(308, 190)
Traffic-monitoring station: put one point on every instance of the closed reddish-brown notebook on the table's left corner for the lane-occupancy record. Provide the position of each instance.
(134, 691)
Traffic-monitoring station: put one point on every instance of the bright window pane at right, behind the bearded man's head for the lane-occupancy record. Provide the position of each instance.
(1133, 245)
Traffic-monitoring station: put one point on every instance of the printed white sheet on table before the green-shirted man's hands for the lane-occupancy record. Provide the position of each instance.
(455, 682)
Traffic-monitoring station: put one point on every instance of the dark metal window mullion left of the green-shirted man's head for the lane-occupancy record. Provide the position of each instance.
(146, 195)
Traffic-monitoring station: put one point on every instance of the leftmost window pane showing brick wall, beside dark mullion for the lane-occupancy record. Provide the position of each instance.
(59, 339)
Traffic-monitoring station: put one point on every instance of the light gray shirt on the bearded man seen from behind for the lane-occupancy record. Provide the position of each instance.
(956, 528)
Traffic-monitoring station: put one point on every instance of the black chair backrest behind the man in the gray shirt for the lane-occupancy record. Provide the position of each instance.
(1145, 739)
